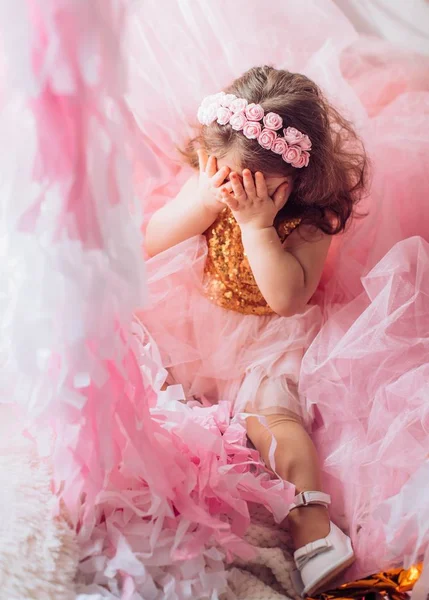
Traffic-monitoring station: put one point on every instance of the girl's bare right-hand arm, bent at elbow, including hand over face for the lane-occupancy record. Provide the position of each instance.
(286, 276)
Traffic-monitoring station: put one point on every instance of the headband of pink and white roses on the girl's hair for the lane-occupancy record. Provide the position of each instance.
(293, 146)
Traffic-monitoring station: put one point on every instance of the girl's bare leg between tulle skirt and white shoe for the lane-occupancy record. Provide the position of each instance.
(295, 461)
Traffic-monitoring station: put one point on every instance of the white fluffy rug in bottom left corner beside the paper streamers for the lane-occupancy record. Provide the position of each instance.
(38, 555)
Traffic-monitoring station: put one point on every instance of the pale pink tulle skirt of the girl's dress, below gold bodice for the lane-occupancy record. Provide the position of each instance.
(253, 362)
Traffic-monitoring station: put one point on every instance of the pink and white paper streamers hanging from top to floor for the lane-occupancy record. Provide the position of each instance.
(158, 498)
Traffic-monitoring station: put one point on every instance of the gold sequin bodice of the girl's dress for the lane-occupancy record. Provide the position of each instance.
(228, 278)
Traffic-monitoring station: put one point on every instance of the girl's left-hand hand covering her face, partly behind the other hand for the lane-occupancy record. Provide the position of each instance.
(211, 182)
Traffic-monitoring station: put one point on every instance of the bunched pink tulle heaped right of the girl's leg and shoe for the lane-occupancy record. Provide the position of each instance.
(368, 374)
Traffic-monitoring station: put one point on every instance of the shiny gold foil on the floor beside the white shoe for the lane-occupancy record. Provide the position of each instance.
(387, 585)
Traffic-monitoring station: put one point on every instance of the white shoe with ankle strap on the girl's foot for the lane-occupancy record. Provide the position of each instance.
(320, 562)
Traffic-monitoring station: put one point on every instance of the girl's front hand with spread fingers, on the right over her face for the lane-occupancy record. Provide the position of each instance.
(250, 203)
